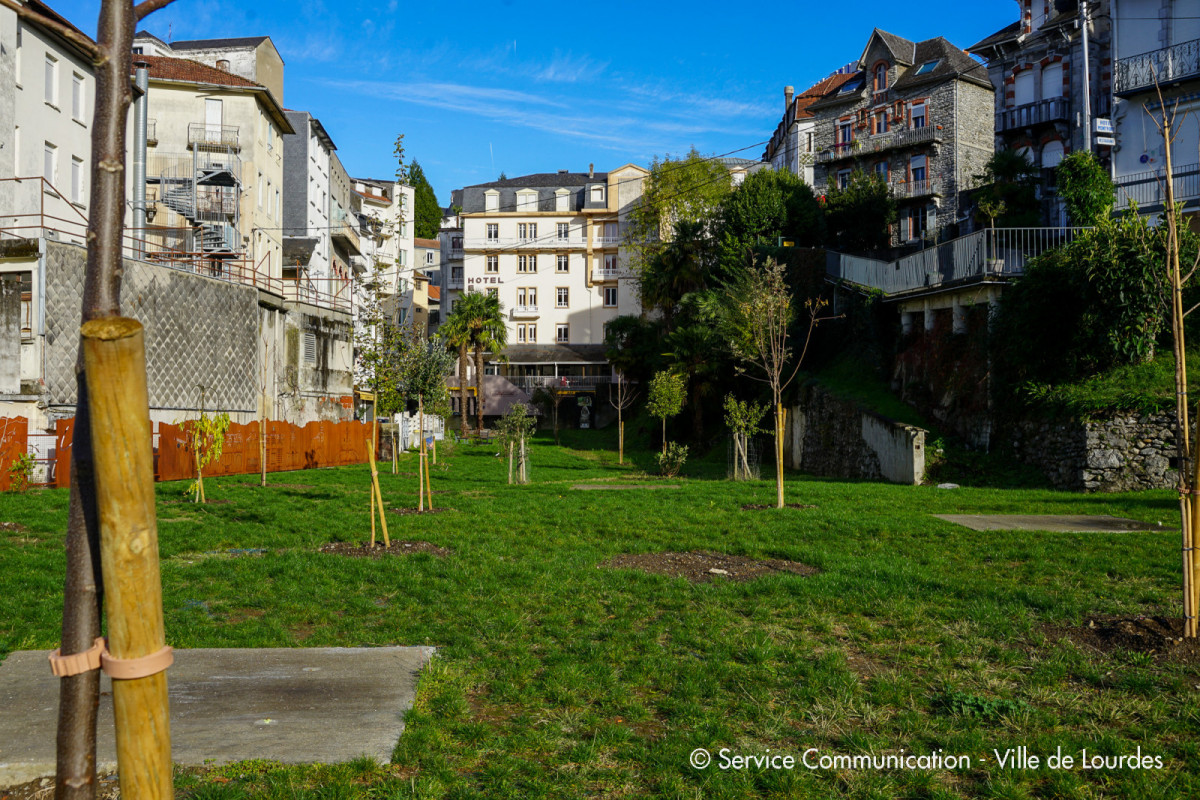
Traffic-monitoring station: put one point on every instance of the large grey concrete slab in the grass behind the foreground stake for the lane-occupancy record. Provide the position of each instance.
(293, 706)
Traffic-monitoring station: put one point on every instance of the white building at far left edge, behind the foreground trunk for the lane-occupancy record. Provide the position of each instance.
(47, 94)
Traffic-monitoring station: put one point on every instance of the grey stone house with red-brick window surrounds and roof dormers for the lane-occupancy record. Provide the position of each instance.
(917, 115)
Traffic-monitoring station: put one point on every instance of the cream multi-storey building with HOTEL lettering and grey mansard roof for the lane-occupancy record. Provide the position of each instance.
(550, 248)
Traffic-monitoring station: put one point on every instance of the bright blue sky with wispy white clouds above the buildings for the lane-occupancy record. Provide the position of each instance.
(532, 87)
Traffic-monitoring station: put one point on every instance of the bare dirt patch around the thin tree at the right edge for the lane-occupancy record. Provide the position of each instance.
(1161, 637)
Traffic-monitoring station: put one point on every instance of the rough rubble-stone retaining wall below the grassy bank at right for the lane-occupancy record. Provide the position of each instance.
(1120, 454)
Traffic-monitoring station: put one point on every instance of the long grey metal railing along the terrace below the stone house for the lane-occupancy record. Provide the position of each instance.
(998, 254)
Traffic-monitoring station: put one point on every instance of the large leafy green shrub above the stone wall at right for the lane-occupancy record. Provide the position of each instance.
(1096, 304)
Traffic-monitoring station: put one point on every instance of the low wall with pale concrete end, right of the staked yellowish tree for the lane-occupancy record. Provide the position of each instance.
(836, 438)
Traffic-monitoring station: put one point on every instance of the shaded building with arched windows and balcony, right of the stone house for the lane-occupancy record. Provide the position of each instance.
(1049, 89)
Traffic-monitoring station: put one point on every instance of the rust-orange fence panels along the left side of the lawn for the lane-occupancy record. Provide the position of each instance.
(289, 448)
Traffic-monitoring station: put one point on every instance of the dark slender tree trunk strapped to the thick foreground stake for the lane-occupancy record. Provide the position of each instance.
(80, 695)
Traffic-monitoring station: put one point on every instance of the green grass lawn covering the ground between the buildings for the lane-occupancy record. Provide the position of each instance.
(559, 679)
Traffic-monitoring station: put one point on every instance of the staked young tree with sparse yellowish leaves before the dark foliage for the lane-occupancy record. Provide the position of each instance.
(759, 316)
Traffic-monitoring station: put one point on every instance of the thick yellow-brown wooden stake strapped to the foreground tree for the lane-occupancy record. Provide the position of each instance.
(115, 359)
